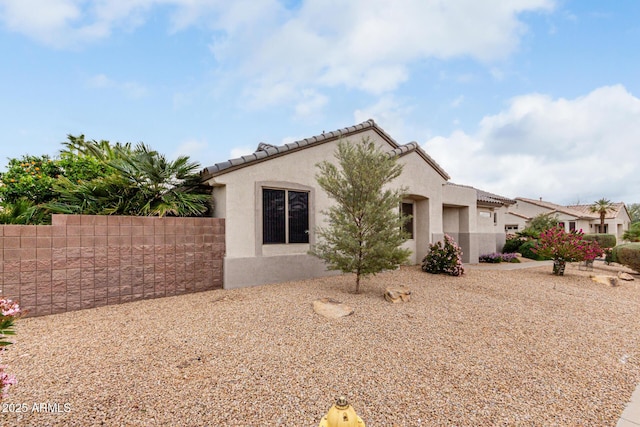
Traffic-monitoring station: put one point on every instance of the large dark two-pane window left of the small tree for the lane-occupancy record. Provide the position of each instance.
(285, 216)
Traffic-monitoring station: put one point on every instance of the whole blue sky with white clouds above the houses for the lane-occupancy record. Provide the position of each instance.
(523, 98)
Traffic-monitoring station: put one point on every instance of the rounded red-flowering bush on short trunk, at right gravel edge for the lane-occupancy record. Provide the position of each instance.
(565, 247)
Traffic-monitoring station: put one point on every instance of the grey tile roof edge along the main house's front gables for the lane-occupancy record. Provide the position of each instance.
(266, 151)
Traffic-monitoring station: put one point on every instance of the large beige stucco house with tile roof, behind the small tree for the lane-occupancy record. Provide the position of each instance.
(272, 205)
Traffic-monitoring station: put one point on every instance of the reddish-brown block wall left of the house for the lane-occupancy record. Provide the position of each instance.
(85, 261)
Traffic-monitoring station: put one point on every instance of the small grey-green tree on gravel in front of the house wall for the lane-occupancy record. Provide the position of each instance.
(364, 230)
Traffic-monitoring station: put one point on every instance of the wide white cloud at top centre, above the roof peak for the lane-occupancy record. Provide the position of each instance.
(370, 45)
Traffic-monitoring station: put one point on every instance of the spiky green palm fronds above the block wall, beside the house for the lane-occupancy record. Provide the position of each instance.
(143, 183)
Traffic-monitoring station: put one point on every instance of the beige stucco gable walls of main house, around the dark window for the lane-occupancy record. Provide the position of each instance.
(237, 198)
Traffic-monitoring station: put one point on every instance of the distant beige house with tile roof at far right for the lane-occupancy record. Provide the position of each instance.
(572, 217)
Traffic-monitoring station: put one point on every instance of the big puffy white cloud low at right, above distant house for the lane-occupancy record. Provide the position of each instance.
(557, 149)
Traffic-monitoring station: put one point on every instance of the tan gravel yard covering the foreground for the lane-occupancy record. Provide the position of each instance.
(518, 347)
